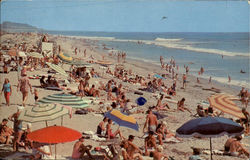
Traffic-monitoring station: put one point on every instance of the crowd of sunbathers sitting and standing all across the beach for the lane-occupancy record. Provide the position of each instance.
(156, 132)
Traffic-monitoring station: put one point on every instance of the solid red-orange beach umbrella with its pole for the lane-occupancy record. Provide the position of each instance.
(54, 135)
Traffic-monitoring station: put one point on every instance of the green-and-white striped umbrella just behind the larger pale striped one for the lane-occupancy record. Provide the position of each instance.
(66, 99)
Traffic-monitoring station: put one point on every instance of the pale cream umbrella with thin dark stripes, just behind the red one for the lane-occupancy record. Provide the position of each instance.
(43, 112)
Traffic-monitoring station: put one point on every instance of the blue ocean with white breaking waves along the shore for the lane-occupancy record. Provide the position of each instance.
(220, 54)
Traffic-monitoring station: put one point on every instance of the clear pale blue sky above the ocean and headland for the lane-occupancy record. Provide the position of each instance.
(130, 15)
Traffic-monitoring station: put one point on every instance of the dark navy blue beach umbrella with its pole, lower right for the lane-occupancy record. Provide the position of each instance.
(209, 127)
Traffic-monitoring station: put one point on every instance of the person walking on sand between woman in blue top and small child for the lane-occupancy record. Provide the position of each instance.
(24, 85)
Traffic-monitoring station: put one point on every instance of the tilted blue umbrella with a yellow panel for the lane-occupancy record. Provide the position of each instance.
(122, 119)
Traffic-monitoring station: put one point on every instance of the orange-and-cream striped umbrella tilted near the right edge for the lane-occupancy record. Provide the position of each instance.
(224, 102)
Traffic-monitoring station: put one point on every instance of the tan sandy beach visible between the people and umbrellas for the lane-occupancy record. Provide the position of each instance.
(194, 94)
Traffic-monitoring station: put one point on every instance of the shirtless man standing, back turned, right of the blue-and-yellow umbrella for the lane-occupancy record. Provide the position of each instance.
(151, 121)
